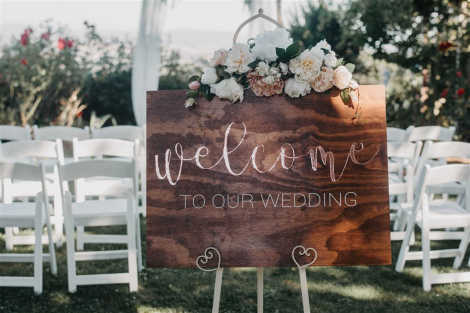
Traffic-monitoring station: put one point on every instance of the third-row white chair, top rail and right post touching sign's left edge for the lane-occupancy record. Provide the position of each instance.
(130, 133)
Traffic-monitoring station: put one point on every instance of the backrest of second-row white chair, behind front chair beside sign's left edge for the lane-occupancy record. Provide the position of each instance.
(92, 148)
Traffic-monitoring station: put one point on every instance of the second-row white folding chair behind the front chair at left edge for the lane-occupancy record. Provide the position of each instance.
(34, 151)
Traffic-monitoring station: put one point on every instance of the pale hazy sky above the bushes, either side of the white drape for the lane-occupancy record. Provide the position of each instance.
(194, 27)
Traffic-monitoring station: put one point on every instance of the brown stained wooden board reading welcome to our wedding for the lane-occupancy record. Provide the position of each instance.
(258, 178)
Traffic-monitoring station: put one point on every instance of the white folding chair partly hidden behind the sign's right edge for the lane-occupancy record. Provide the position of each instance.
(401, 184)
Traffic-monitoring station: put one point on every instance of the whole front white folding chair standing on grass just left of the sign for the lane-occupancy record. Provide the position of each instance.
(108, 212)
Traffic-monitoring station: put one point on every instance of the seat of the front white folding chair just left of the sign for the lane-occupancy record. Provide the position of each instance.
(100, 212)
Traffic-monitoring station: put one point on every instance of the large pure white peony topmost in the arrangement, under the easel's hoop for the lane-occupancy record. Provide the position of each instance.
(267, 42)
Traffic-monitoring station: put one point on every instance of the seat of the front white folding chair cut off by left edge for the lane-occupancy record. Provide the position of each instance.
(20, 214)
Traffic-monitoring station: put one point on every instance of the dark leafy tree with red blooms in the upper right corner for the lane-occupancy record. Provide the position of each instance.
(432, 39)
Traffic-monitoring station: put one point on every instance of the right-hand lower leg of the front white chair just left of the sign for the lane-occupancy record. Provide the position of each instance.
(131, 247)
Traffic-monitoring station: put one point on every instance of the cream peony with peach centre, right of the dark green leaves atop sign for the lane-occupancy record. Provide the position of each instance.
(306, 66)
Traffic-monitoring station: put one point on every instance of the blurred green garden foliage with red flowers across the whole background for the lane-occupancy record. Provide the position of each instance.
(418, 48)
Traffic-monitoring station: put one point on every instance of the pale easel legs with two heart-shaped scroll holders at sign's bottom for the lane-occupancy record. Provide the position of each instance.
(212, 252)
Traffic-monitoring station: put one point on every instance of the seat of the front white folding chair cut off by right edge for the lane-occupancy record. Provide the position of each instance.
(444, 213)
